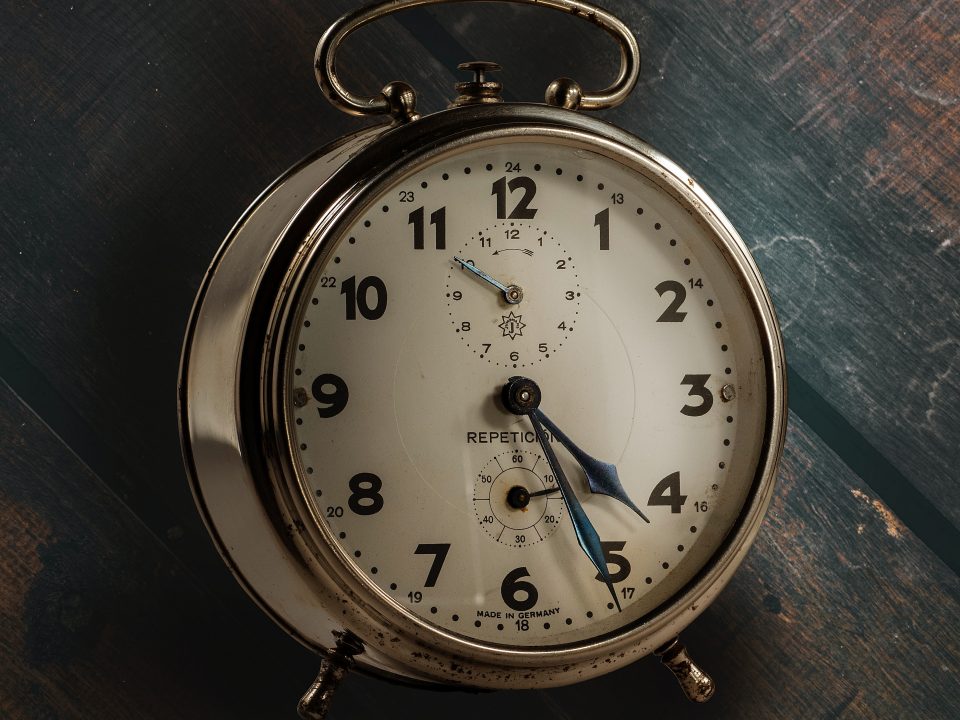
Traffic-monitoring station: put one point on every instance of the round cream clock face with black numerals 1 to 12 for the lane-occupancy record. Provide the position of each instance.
(560, 265)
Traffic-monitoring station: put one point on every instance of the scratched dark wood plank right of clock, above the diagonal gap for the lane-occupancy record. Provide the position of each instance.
(828, 132)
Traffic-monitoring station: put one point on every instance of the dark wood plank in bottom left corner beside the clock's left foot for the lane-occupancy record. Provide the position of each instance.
(99, 620)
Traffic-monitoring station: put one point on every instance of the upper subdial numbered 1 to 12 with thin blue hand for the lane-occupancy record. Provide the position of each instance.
(513, 295)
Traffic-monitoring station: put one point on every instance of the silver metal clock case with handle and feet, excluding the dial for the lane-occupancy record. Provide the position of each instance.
(231, 390)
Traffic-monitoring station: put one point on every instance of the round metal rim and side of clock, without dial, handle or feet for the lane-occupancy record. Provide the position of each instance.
(305, 557)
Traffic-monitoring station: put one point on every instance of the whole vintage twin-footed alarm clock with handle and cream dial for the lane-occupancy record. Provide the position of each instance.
(489, 398)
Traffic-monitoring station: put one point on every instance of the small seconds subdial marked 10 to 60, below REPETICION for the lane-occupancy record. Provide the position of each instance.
(516, 499)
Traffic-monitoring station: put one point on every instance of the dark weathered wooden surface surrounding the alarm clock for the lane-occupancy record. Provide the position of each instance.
(133, 134)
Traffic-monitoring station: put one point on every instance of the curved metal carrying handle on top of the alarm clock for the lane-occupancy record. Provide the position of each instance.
(399, 99)
